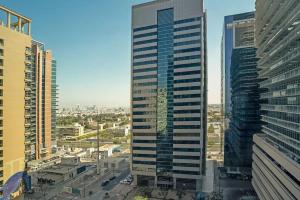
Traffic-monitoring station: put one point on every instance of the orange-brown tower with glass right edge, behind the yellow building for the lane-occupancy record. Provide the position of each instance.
(43, 100)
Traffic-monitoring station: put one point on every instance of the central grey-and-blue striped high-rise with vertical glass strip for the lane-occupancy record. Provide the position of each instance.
(169, 93)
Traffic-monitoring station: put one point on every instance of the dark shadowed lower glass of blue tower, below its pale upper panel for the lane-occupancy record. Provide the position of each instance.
(244, 120)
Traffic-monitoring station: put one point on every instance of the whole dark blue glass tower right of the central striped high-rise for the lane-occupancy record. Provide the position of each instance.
(241, 70)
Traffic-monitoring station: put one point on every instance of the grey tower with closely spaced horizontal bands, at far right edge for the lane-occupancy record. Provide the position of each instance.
(276, 150)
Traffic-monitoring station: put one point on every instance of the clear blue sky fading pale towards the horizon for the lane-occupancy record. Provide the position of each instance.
(90, 40)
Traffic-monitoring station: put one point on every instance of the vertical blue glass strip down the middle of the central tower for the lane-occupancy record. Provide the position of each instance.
(165, 75)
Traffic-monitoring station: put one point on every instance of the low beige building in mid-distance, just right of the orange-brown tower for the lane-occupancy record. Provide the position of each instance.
(70, 131)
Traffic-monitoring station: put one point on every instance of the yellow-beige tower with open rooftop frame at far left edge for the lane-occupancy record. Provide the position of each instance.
(15, 113)
